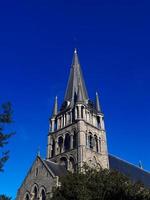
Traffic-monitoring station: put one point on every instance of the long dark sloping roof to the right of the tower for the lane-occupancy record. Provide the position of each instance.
(133, 172)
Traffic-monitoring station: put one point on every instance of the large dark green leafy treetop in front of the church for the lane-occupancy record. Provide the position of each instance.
(93, 184)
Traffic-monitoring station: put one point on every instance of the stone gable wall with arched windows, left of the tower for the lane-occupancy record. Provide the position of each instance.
(38, 182)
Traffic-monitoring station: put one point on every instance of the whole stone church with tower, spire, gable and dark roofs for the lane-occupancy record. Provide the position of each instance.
(76, 136)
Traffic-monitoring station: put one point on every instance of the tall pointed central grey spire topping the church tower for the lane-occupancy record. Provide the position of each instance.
(75, 79)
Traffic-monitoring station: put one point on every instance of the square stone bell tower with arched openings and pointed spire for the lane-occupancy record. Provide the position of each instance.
(77, 132)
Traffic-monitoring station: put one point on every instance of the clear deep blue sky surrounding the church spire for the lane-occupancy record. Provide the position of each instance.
(37, 39)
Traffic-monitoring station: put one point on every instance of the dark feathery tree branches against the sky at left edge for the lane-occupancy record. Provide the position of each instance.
(5, 119)
